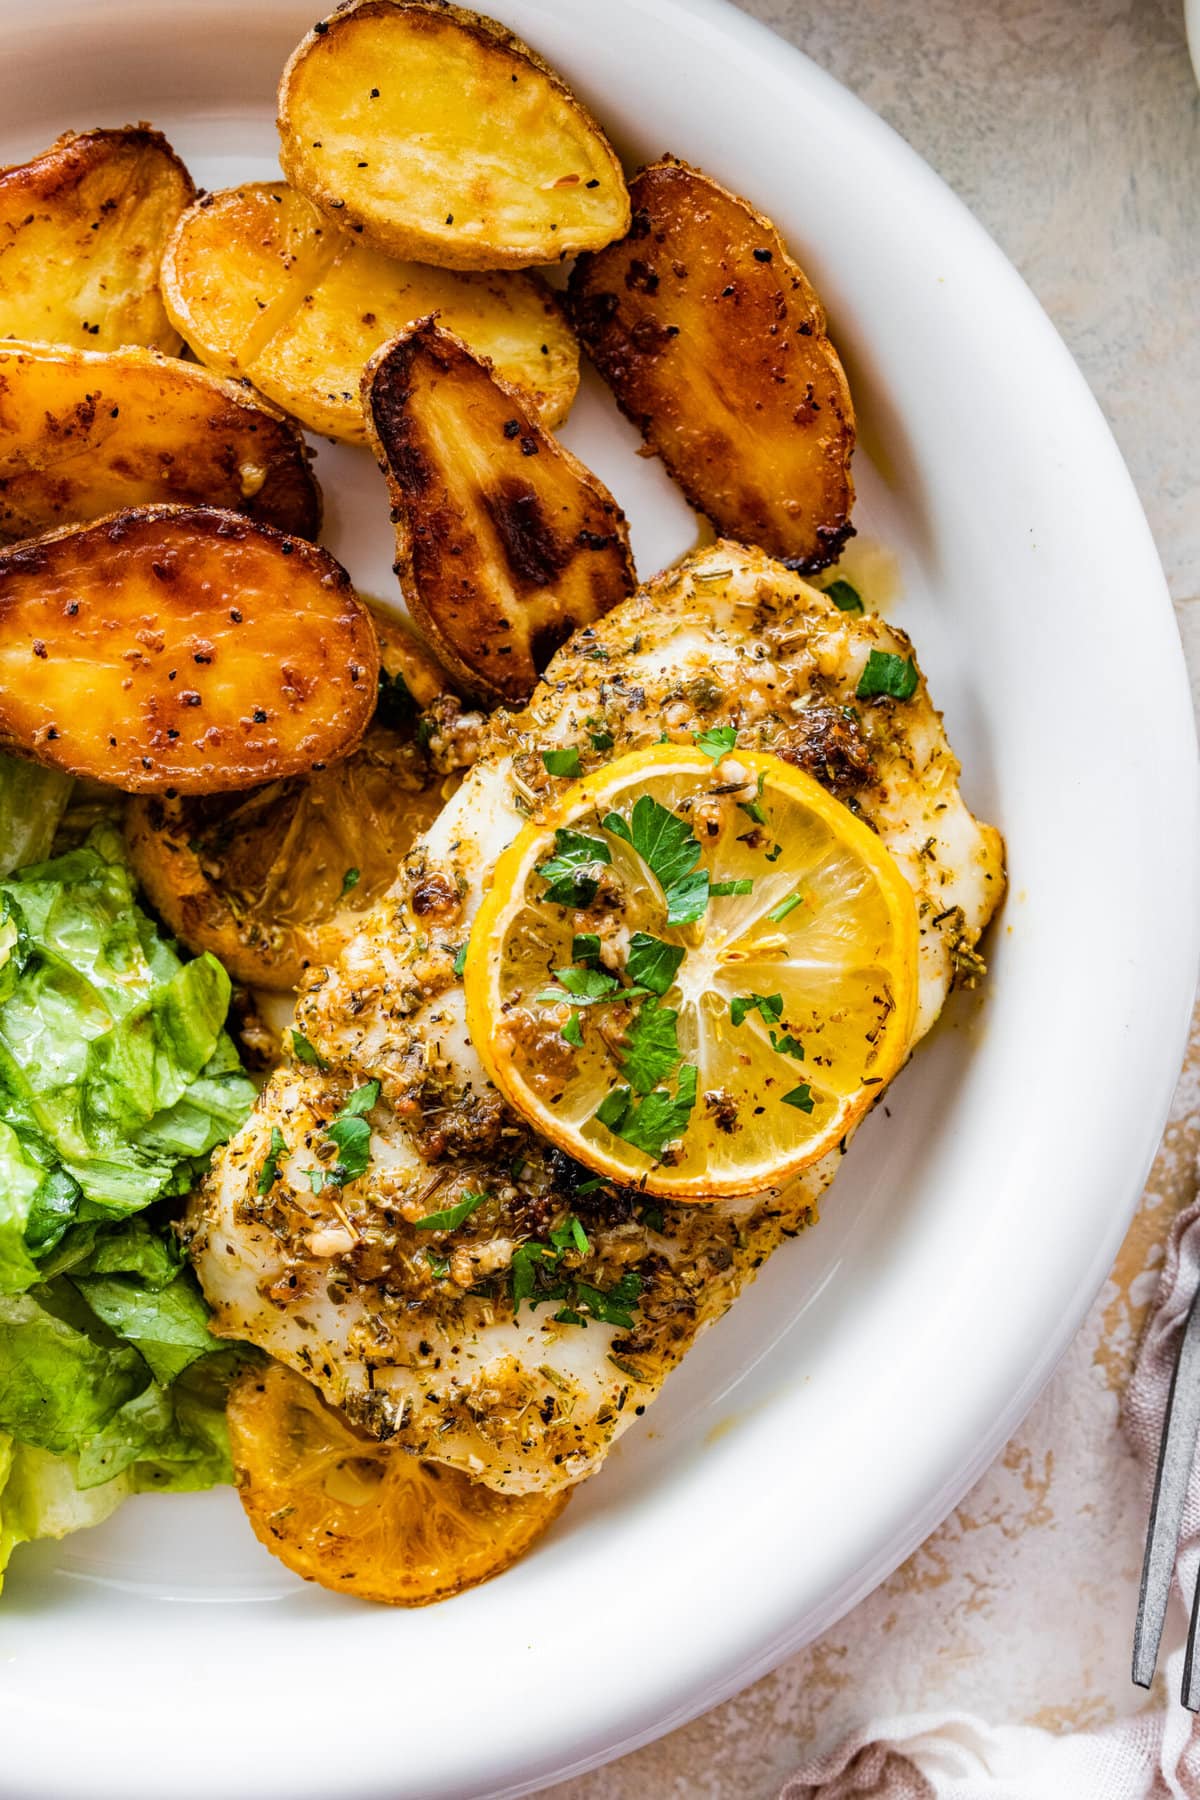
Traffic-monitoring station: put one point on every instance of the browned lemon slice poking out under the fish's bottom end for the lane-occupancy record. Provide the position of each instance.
(361, 1516)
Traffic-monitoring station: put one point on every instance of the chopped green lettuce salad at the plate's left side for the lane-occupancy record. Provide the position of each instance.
(116, 1084)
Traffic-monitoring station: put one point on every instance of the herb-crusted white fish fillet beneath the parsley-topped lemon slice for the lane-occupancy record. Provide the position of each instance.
(411, 1327)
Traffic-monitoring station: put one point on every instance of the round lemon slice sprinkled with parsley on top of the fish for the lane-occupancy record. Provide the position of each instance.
(695, 971)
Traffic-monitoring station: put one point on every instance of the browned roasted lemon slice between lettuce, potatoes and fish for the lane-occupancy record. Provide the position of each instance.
(278, 879)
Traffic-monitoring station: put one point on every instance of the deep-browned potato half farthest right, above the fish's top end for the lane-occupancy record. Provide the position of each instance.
(715, 345)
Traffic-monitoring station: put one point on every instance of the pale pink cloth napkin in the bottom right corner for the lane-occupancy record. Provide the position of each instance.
(1154, 1756)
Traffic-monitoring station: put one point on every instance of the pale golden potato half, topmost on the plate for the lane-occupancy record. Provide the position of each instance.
(442, 136)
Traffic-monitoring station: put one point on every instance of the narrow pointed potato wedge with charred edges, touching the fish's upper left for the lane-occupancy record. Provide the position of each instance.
(506, 543)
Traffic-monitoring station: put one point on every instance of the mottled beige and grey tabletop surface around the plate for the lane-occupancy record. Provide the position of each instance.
(1073, 130)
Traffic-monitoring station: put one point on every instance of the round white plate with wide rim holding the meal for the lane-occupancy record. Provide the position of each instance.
(846, 1403)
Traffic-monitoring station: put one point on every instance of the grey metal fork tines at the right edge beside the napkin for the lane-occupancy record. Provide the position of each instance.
(1167, 1511)
